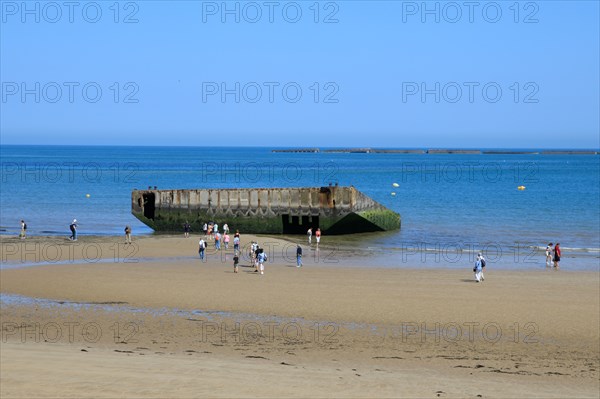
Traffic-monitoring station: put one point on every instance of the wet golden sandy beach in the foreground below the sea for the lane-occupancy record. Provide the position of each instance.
(96, 318)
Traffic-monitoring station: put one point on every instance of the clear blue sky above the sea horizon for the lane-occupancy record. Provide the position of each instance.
(371, 67)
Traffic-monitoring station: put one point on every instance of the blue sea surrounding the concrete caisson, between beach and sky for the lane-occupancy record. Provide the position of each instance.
(452, 206)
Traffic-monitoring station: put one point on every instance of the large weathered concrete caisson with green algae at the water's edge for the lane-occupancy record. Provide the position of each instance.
(336, 210)
